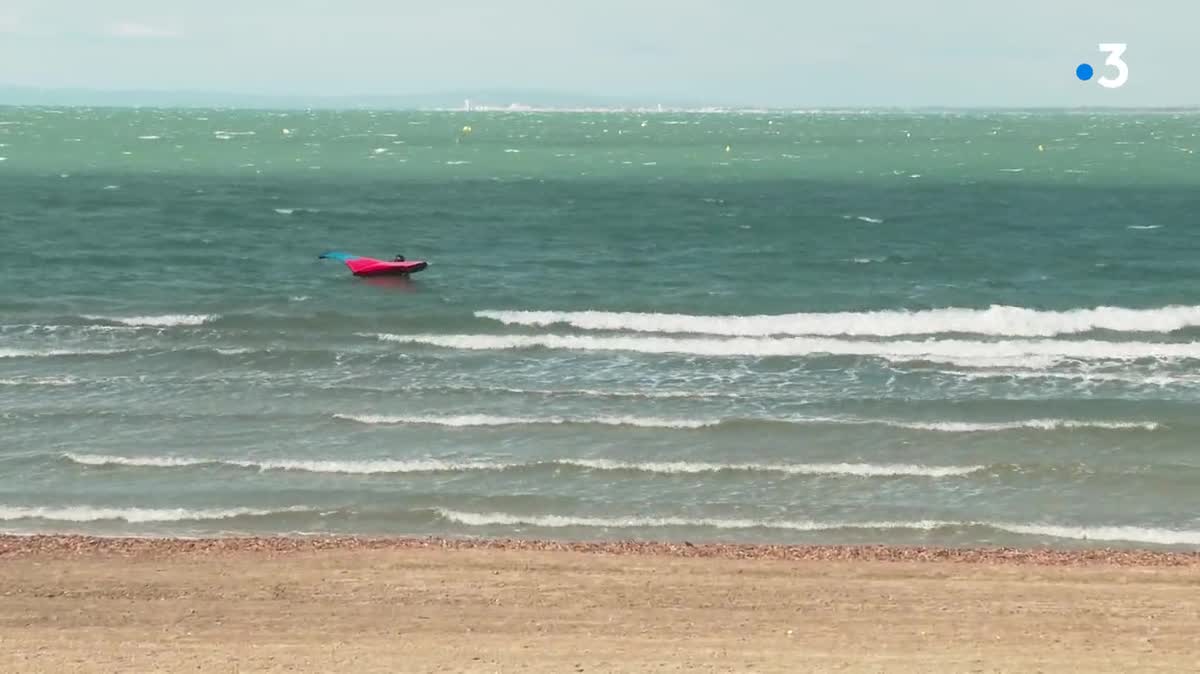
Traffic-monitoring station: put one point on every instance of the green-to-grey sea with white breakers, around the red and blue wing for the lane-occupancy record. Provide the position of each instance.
(944, 328)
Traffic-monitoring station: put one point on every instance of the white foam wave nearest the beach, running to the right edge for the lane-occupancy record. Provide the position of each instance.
(1101, 533)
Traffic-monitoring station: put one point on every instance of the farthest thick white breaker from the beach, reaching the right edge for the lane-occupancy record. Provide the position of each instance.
(995, 321)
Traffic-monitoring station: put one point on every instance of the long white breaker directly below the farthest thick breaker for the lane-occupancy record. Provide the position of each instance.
(1012, 353)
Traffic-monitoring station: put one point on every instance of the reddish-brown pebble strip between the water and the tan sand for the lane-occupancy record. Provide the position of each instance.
(74, 545)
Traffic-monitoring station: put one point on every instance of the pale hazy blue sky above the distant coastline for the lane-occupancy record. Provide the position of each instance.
(745, 52)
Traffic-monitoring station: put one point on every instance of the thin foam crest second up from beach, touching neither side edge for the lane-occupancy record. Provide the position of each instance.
(374, 467)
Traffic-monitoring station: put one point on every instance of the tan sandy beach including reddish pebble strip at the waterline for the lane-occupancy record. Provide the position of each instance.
(95, 605)
